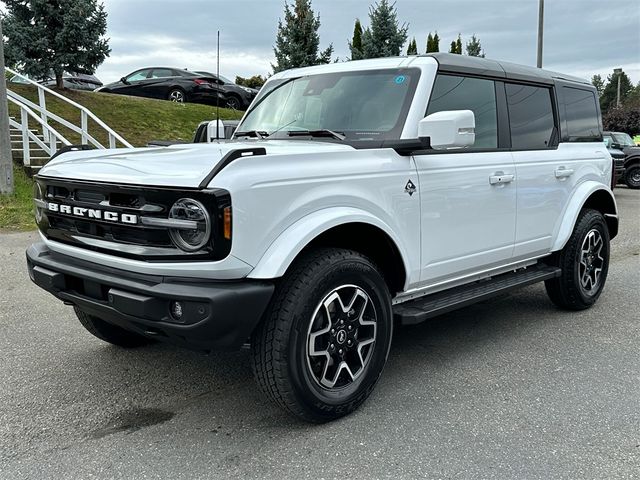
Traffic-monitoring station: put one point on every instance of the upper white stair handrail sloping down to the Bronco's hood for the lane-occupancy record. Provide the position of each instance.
(85, 114)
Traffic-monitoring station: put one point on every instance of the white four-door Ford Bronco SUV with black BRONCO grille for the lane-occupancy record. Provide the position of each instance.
(352, 197)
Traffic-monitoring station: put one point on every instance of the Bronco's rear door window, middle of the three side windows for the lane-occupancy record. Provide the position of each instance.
(530, 116)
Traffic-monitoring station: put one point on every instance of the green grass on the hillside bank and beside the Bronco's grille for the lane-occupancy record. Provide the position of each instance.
(137, 120)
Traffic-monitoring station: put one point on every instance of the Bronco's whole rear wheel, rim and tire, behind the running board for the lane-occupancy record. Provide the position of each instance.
(584, 262)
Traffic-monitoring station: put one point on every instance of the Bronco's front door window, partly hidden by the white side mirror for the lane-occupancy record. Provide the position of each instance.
(465, 93)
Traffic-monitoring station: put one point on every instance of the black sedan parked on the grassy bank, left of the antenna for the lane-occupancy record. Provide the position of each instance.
(168, 84)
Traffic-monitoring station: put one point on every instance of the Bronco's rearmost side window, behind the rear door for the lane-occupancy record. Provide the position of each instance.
(581, 113)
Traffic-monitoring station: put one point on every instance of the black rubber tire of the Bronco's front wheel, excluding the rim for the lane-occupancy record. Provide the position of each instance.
(279, 344)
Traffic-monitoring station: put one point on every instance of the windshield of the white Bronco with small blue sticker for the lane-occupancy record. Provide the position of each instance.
(366, 105)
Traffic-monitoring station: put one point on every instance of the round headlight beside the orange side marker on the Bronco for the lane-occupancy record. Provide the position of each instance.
(195, 235)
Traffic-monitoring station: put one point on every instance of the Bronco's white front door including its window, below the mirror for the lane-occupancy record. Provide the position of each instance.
(468, 197)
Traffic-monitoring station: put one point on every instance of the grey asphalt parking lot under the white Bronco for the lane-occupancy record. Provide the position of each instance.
(511, 388)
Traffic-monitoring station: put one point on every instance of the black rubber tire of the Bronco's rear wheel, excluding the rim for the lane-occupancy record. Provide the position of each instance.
(566, 291)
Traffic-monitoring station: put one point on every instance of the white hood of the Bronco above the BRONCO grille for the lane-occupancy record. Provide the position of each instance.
(184, 165)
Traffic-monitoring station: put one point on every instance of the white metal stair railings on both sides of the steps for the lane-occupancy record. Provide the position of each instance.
(42, 117)
